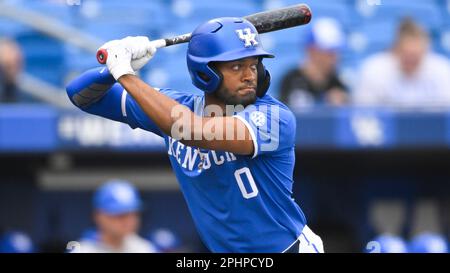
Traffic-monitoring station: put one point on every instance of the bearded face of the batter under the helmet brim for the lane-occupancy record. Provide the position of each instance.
(239, 81)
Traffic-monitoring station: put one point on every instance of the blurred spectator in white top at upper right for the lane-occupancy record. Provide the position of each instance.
(407, 75)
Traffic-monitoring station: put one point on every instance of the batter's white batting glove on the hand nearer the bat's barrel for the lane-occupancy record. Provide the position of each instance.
(142, 50)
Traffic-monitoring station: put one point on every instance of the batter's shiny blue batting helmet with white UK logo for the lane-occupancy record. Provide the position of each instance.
(220, 40)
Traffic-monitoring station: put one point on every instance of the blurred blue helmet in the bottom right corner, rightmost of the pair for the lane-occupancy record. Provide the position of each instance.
(428, 243)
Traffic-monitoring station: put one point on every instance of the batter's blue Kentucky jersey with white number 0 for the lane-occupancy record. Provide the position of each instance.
(238, 203)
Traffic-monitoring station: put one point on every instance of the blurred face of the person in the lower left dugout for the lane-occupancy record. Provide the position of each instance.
(118, 226)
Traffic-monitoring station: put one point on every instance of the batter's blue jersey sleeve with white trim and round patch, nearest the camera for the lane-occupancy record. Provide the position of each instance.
(272, 127)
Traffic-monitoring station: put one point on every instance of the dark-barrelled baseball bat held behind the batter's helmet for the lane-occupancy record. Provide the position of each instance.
(266, 21)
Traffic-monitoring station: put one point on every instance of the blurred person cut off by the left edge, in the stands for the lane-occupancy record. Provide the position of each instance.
(10, 67)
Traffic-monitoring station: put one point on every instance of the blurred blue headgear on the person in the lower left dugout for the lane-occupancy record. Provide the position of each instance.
(117, 197)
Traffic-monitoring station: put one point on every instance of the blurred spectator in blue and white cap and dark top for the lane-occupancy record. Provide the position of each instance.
(316, 81)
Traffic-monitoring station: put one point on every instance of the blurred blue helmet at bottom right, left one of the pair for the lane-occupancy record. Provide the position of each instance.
(387, 243)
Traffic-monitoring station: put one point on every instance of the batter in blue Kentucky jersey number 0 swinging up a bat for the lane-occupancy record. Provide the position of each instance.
(232, 149)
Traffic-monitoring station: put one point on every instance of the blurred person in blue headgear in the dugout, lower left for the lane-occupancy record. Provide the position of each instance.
(117, 204)
